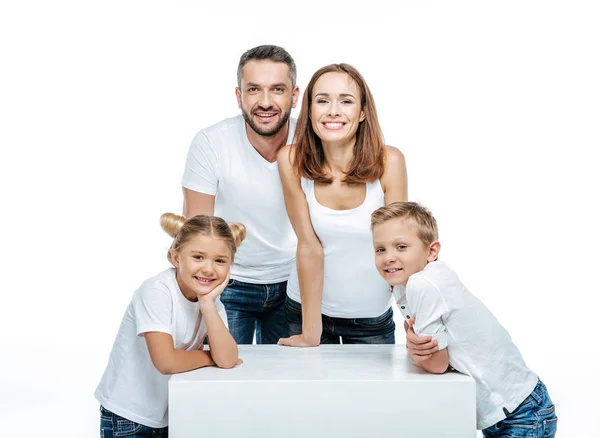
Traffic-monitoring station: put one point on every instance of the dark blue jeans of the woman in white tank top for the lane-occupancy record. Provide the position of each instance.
(377, 330)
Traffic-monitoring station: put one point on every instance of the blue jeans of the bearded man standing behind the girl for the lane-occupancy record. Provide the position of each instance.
(257, 307)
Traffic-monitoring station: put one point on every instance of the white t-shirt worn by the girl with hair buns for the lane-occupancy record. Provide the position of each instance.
(131, 386)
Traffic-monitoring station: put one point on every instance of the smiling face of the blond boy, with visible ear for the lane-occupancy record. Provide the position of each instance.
(399, 252)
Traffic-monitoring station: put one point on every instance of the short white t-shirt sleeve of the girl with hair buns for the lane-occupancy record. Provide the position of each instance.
(153, 311)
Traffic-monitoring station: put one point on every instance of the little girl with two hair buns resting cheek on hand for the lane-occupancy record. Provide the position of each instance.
(164, 327)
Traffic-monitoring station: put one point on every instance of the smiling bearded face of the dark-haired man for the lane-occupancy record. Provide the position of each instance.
(266, 96)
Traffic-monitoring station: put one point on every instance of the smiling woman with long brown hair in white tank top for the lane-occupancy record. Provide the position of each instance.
(338, 172)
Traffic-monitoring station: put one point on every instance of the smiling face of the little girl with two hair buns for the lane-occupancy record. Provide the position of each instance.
(202, 263)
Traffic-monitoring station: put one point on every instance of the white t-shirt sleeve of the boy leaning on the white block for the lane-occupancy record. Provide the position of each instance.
(429, 309)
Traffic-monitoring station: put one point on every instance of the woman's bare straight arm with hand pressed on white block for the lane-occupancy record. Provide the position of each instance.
(309, 255)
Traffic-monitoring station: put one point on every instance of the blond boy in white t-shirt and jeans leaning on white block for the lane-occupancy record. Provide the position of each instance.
(510, 397)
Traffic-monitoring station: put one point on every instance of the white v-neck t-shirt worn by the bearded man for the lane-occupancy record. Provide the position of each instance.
(222, 162)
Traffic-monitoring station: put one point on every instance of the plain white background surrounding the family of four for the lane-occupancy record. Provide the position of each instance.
(495, 106)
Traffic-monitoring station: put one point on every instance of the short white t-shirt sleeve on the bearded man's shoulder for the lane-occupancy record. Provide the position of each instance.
(201, 166)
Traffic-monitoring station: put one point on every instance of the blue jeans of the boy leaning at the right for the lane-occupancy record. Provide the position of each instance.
(535, 418)
